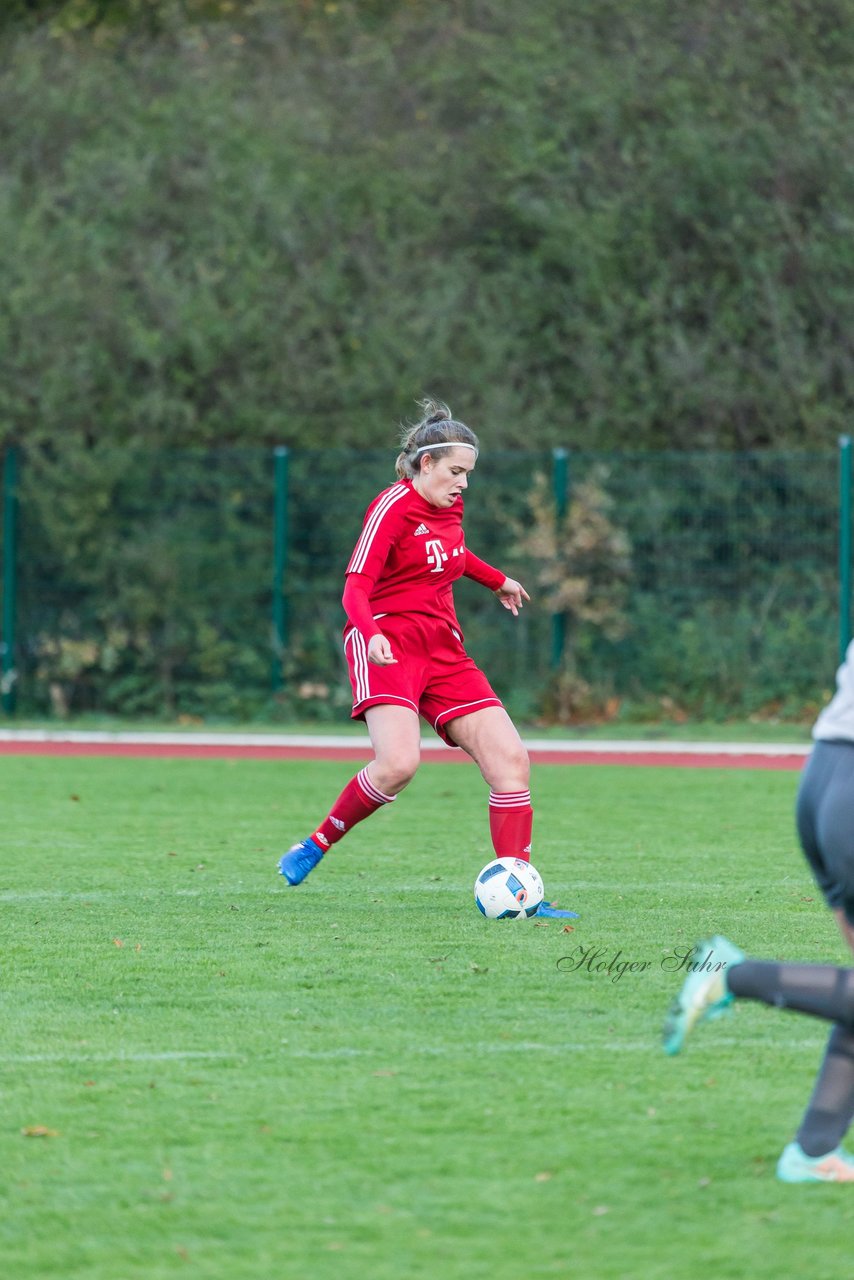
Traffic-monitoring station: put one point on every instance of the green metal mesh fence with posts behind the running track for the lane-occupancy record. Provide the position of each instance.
(208, 584)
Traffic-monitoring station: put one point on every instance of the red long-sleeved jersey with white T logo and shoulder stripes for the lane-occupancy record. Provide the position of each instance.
(408, 559)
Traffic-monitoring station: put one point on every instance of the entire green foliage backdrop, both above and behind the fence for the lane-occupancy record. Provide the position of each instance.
(620, 228)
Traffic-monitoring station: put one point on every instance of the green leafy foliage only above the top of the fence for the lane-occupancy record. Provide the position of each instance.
(601, 225)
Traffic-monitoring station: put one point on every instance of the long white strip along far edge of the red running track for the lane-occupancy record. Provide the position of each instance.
(602, 747)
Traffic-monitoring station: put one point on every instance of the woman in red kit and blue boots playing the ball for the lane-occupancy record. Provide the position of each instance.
(405, 647)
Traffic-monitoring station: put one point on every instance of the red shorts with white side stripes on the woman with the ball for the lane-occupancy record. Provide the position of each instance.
(433, 674)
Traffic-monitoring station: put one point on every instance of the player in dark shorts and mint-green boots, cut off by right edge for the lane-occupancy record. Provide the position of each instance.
(825, 816)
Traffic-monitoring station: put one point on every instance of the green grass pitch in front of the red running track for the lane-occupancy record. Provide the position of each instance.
(363, 1078)
